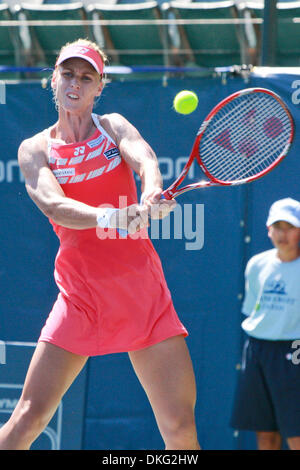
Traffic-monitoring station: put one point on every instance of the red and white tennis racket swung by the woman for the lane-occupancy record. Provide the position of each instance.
(242, 139)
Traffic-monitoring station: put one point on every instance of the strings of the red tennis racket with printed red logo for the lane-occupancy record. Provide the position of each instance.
(245, 137)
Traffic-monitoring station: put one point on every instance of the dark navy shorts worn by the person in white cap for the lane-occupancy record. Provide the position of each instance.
(268, 391)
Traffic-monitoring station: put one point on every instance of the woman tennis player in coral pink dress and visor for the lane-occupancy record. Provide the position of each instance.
(112, 293)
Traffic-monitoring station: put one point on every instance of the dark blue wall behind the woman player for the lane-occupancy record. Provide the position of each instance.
(207, 284)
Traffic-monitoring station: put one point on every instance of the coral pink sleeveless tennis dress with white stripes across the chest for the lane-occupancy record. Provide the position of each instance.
(113, 295)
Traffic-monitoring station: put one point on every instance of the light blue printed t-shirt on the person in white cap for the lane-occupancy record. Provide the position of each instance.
(272, 300)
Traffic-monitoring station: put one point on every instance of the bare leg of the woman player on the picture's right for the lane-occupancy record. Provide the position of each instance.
(166, 374)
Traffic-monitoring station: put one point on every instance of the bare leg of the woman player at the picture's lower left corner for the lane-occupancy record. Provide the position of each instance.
(51, 372)
